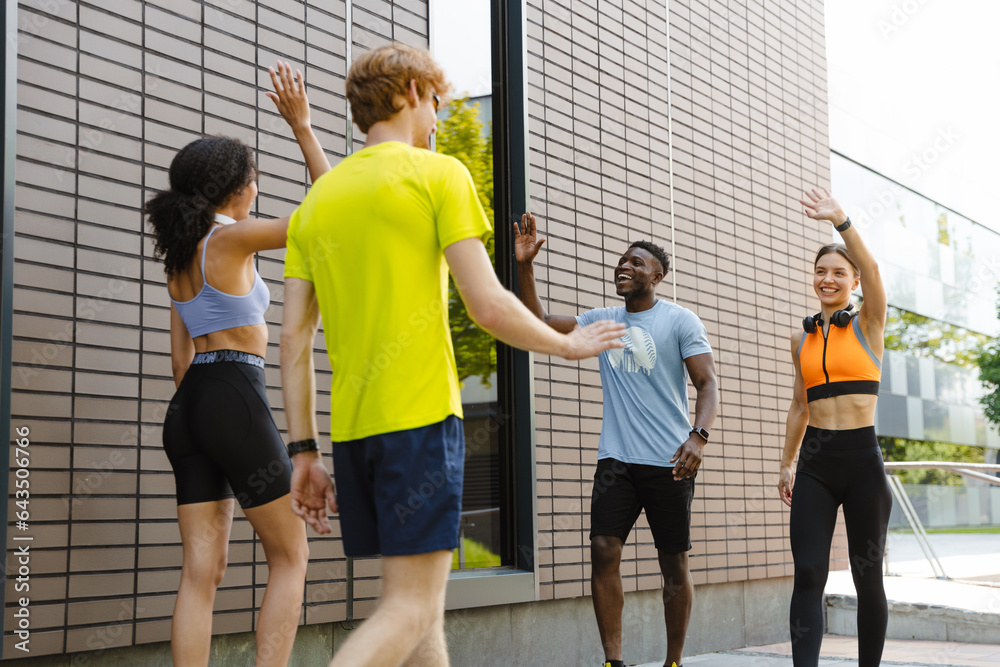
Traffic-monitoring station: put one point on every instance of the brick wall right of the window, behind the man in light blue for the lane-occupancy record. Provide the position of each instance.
(748, 92)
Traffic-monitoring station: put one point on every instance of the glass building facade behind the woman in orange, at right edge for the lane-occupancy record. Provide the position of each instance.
(940, 271)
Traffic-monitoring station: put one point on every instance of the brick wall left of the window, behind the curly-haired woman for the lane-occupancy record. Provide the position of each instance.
(107, 93)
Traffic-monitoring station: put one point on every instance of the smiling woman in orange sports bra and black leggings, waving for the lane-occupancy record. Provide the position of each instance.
(830, 427)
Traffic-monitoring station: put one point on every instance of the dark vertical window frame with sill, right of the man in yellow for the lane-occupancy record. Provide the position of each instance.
(517, 582)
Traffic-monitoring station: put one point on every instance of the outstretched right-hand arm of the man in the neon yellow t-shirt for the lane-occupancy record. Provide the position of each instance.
(499, 312)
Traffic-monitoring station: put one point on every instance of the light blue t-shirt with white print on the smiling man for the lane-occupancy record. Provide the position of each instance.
(645, 384)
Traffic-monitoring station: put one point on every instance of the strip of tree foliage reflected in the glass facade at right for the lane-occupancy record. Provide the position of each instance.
(924, 337)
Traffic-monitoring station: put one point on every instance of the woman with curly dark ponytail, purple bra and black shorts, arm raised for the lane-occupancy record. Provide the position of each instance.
(219, 434)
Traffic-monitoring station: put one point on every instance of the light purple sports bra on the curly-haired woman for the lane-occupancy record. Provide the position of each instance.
(212, 310)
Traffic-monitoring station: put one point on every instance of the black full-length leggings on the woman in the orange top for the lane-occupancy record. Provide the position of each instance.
(839, 468)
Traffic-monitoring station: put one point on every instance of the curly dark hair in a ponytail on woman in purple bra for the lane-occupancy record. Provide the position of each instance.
(204, 176)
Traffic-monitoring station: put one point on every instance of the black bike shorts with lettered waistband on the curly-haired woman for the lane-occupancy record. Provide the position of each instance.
(220, 436)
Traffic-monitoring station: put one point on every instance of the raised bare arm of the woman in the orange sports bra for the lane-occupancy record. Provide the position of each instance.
(820, 205)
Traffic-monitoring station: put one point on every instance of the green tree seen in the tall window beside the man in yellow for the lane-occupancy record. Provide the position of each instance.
(461, 135)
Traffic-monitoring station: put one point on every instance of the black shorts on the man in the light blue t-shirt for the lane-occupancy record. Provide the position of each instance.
(622, 490)
